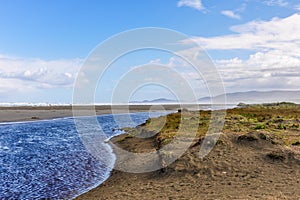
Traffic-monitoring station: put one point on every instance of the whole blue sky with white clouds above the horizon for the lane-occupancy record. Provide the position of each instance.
(254, 43)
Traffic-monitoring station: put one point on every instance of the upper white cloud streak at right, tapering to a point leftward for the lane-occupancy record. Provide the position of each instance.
(276, 34)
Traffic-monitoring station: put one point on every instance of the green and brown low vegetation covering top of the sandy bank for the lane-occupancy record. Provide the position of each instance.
(278, 121)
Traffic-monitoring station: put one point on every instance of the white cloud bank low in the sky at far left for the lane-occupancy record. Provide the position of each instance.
(23, 74)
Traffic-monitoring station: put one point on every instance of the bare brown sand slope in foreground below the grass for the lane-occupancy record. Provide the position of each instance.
(236, 169)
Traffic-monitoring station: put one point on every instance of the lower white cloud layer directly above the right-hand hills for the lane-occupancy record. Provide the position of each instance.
(261, 71)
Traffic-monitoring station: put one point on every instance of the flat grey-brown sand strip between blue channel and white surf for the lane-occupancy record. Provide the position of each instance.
(28, 113)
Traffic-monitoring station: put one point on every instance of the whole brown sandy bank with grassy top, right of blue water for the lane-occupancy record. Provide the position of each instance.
(257, 156)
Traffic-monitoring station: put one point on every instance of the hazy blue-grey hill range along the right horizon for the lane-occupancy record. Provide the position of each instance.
(256, 97)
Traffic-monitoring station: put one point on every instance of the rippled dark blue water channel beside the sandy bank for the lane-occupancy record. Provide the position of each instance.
(46, 159)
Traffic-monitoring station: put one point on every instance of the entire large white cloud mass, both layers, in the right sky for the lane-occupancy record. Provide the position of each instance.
(275, 63)
